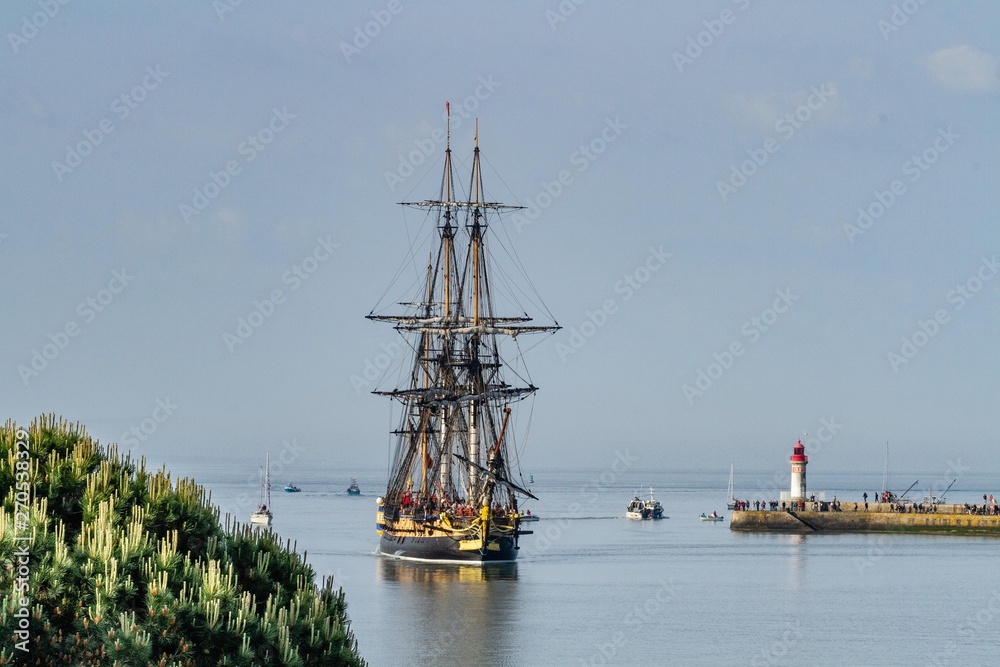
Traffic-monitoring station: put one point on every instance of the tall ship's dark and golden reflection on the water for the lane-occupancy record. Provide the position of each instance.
(462, 610)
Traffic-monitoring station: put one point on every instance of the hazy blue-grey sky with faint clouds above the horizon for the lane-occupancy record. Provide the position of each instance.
(755, 222)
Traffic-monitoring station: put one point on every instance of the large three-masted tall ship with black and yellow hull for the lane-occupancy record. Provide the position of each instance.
(454, 484)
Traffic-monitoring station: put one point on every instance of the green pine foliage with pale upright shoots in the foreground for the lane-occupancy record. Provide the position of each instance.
(128, 567)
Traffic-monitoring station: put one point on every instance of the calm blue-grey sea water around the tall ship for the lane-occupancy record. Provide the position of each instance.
(592, 588)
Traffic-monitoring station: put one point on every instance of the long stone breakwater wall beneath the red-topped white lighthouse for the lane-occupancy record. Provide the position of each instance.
(850, 521)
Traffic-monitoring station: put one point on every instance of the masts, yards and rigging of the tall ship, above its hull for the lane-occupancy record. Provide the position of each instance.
(452, 444)
